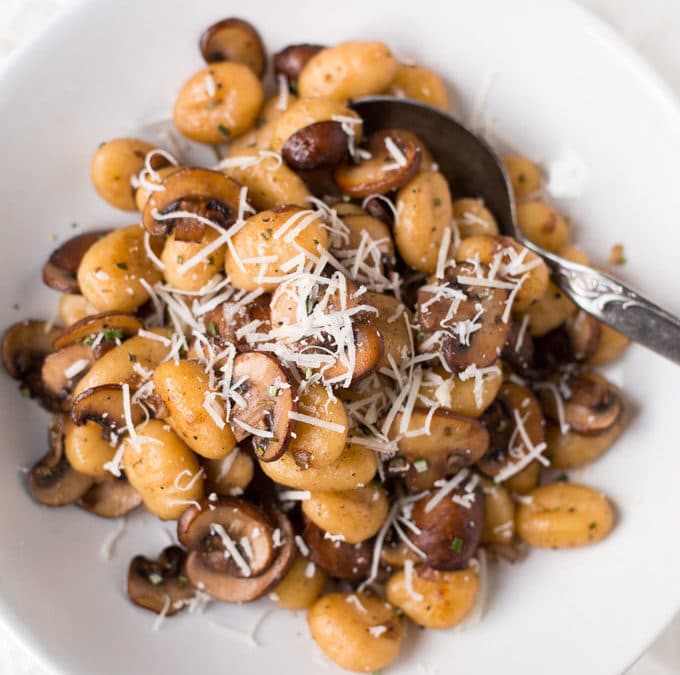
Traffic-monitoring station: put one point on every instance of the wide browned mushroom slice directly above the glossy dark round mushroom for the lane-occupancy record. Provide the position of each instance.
(454, 441)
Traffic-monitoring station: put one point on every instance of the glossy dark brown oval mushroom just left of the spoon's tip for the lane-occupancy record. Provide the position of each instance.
(317, 146)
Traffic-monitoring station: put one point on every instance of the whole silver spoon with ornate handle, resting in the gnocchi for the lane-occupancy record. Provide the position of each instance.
(474, 169)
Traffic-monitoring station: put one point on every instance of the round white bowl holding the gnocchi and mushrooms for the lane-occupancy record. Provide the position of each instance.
(564, 84)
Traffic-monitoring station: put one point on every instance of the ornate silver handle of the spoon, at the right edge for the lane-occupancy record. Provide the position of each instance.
(615, 304)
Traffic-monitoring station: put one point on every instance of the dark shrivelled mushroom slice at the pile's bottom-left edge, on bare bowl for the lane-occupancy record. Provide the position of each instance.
(160, 585)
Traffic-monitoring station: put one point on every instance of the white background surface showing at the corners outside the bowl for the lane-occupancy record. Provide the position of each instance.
(647, 24)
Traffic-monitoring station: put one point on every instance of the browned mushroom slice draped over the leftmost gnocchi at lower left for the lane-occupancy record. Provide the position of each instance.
(105, 405)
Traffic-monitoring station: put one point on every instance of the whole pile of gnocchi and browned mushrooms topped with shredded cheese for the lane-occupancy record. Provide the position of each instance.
(330, 368)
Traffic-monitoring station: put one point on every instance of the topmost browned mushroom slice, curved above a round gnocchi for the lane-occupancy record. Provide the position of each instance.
(234, 40)
